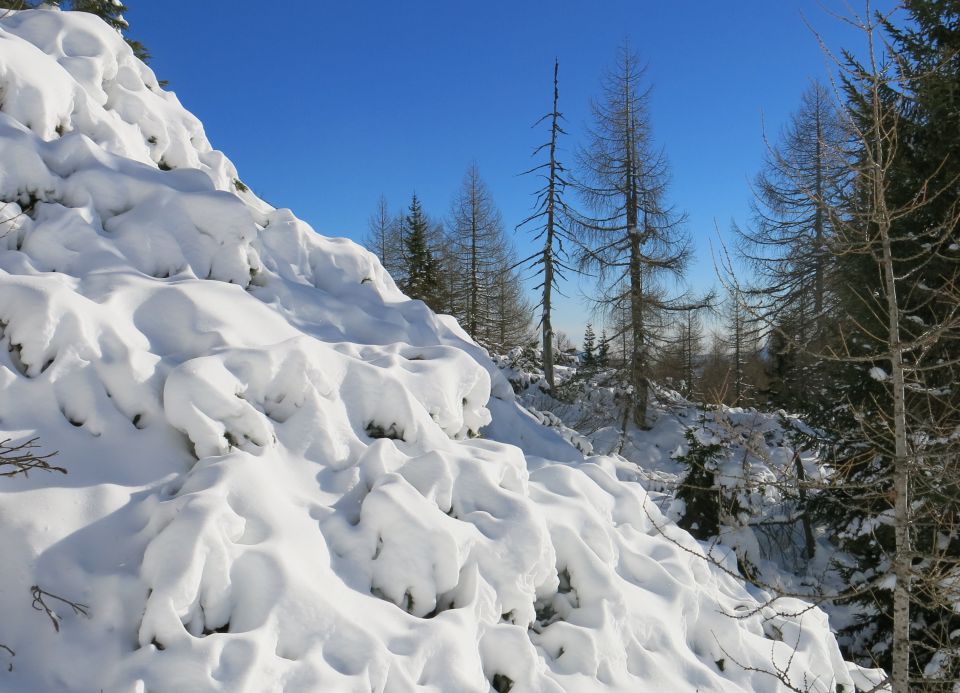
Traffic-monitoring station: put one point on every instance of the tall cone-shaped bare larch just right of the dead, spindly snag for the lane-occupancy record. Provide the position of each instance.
(634, 240)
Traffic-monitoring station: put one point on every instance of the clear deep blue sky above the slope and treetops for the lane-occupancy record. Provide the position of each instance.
(323, 106)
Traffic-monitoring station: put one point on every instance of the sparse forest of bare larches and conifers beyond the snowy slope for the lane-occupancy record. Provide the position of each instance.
(840, 305)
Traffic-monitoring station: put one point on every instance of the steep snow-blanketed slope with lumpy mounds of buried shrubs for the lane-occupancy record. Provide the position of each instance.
(274, 476)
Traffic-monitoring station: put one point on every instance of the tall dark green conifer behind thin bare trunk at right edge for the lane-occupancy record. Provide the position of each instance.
(921, 114)
